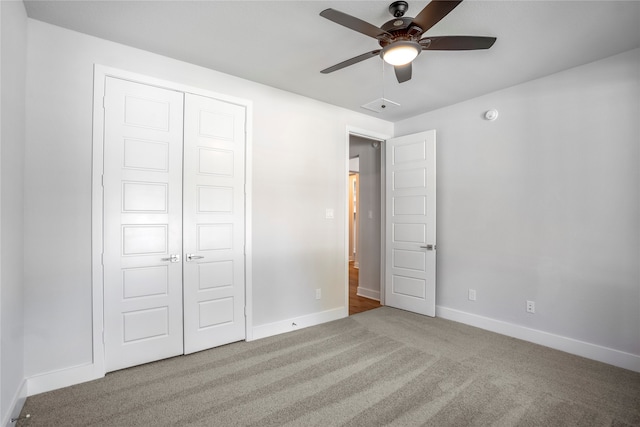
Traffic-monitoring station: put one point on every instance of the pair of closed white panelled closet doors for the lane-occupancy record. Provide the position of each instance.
(173, 223)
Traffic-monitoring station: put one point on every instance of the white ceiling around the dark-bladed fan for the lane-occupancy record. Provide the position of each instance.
(285, 44)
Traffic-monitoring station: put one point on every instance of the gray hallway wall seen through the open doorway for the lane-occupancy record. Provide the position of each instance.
(368, 245)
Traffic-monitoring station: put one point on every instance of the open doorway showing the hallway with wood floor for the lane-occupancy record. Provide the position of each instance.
(365, 224)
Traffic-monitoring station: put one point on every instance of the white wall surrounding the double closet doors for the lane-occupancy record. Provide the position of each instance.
(299, 169)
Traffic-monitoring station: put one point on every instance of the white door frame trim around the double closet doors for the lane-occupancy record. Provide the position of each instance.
(101, 72)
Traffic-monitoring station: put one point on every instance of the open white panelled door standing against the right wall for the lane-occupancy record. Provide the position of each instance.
(410, 282)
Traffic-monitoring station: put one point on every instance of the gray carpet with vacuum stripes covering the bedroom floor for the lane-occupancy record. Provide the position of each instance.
(381, 367)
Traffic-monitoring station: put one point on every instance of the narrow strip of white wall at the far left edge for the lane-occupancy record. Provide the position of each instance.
(13, 48)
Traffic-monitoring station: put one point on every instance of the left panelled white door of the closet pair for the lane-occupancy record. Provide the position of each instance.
(142, 223)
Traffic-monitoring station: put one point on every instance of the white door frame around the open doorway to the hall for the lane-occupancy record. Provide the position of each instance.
(380, 137)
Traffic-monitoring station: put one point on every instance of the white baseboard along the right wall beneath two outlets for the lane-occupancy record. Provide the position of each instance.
(558, 342)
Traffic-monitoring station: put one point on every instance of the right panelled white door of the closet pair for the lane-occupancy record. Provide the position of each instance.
(214, 214)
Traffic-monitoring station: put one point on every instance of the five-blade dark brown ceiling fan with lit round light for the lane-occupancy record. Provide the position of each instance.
(400, 38)
